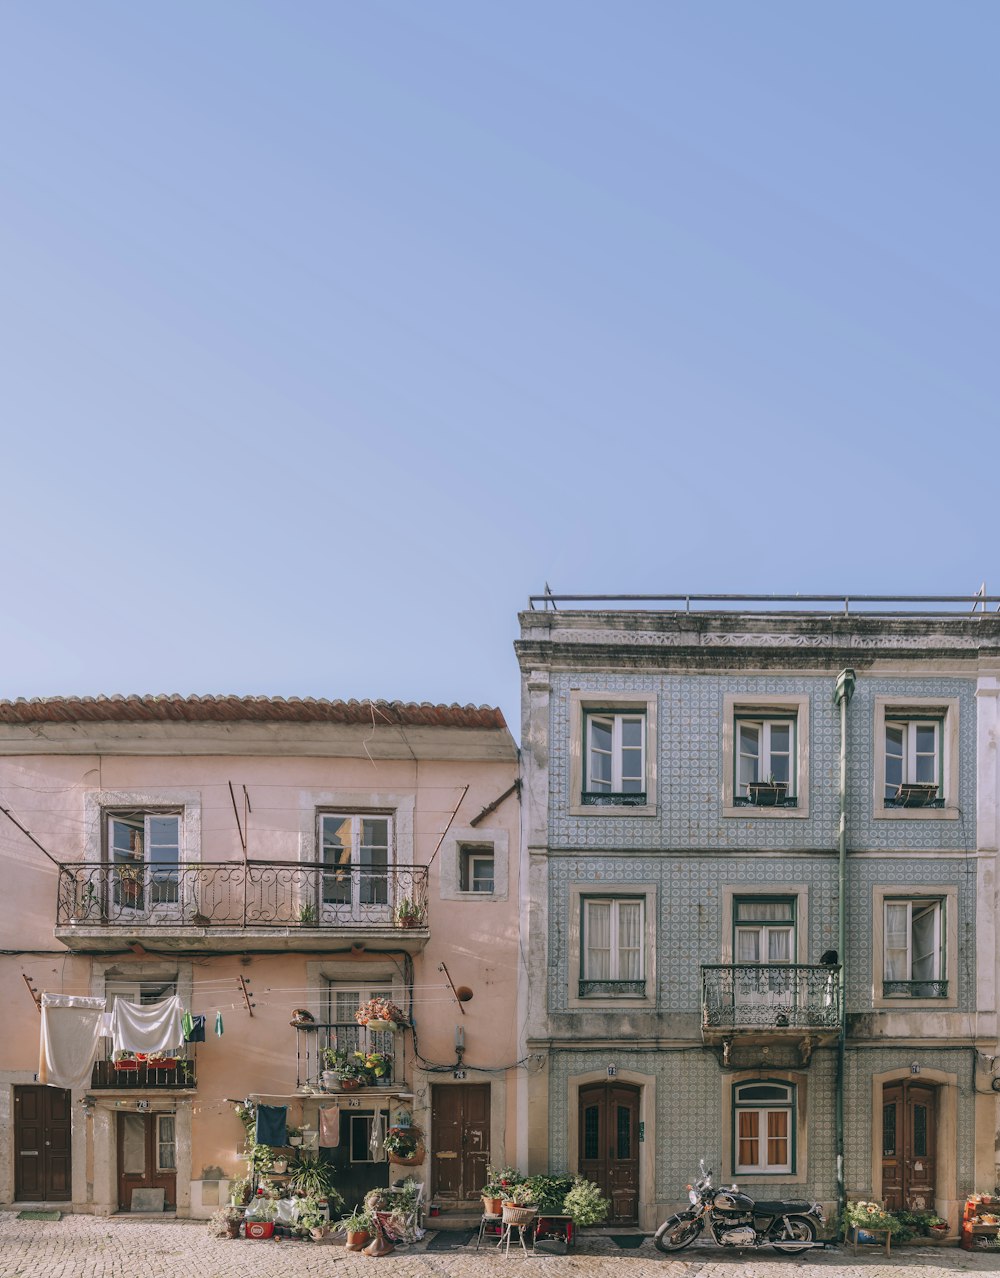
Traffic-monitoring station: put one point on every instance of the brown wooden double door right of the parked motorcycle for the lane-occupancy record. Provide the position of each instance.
(910, 1146)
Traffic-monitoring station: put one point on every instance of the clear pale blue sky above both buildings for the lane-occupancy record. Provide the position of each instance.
(331, 332)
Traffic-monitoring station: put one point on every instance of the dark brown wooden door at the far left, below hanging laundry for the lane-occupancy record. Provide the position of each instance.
(43, 1166)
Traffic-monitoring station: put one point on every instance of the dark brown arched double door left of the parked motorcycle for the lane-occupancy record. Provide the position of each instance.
(609, 1146)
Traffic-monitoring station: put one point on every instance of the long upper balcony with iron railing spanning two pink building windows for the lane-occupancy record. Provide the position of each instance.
(226, 905)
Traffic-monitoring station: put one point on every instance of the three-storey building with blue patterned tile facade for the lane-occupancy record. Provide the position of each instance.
(682, 851)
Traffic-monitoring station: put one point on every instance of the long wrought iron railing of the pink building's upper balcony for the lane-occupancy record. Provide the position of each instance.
(241, 895)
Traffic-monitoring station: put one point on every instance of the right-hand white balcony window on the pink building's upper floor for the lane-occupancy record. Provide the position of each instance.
(356, 852)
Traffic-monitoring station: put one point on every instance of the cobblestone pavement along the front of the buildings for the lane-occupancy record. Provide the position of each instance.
(86, 1247)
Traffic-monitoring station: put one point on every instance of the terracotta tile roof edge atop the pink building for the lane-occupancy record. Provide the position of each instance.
(215, 710)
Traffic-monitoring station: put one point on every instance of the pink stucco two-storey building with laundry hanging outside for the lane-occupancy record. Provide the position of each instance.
(258, 859)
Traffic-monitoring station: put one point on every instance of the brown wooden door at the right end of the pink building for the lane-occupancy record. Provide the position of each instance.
(461, 1141)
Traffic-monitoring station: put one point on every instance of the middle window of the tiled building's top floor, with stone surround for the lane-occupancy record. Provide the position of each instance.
(767, 757)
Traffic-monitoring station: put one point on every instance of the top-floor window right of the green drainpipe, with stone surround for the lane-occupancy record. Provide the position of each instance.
(916, 758)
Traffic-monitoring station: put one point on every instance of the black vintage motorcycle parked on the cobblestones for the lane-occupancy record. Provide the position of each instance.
(737, 1221)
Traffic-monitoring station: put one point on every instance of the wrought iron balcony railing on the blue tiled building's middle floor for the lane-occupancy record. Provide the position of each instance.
(770, 996)
